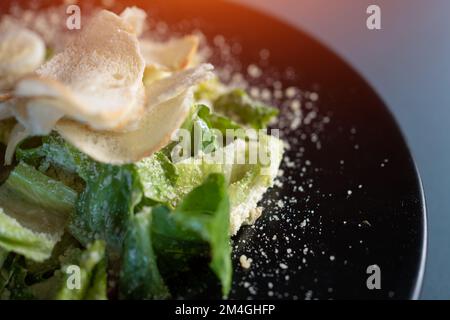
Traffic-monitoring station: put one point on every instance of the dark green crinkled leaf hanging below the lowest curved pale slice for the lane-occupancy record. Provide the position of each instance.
(106, 206)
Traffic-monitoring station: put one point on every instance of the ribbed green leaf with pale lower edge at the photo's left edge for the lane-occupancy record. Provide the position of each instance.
(33, 214)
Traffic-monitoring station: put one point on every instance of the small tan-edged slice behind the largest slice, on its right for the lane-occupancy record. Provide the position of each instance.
(176, 54)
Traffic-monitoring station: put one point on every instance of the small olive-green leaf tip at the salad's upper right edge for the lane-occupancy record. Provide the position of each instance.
(238, 105)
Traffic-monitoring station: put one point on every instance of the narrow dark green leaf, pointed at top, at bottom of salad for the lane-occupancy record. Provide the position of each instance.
(140, 277)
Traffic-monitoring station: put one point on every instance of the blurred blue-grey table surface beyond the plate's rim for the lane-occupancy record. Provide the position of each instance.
(408, 64)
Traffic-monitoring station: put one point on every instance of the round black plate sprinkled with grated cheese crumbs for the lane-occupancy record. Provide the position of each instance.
(350, 197)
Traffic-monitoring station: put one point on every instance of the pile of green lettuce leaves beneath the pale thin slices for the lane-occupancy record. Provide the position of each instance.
(74, 228)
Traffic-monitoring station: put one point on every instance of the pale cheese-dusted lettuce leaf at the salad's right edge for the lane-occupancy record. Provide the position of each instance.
(247, 182)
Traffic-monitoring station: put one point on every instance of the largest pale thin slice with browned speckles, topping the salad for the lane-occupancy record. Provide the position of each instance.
(97, 79)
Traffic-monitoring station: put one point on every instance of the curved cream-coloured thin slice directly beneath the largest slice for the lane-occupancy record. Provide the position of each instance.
(154, 132)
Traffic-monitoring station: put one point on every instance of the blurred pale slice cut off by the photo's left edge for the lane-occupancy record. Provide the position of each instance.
(21, 51)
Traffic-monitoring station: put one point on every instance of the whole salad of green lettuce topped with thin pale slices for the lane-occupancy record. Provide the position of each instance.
(128, 162)
